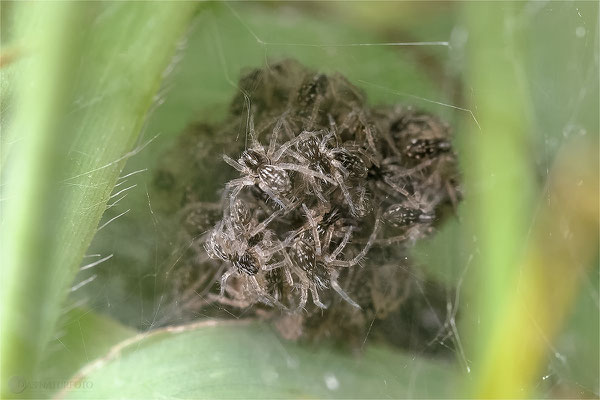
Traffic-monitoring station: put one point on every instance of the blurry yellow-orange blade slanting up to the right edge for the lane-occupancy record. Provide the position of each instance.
(563, 245)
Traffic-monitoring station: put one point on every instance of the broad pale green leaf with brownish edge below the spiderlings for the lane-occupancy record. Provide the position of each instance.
(237, 359)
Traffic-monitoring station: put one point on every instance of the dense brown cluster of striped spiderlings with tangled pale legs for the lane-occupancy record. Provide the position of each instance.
(326, 190)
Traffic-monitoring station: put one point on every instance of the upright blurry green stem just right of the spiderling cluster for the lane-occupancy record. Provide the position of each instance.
(498, 177)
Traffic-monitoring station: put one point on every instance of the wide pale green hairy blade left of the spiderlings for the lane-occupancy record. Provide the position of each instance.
(82, 92)
